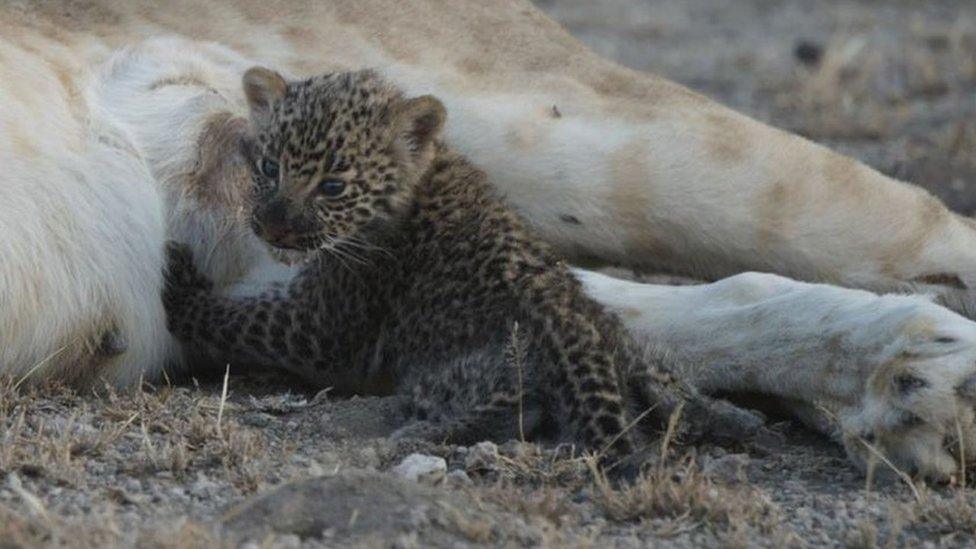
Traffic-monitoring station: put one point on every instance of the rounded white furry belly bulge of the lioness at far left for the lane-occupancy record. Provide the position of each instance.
(83, 227)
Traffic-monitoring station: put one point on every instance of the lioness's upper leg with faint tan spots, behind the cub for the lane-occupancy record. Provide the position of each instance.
(699, 190)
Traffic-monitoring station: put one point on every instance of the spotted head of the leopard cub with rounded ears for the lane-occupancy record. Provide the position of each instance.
(335, 156)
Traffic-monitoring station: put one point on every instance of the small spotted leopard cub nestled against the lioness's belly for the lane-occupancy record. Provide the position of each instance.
(420, 274)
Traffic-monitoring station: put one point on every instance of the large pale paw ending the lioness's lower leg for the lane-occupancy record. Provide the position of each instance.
(916, 411)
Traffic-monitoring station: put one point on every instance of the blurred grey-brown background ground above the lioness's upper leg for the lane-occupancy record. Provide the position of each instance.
(892, 82)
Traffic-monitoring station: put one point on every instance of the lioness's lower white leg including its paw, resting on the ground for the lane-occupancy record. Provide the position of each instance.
(897, 371)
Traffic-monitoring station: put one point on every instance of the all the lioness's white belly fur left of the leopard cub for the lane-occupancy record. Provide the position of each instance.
(84, 229)
